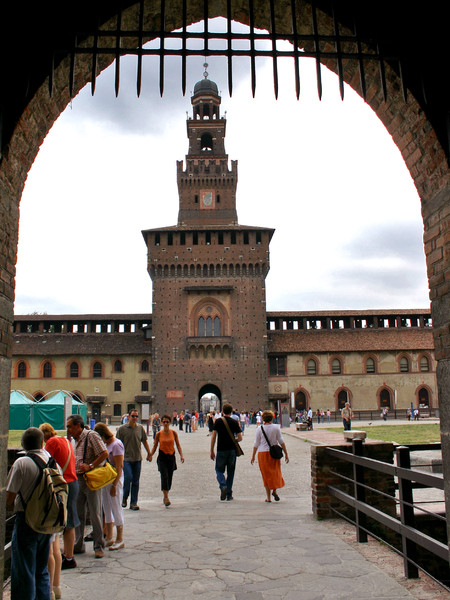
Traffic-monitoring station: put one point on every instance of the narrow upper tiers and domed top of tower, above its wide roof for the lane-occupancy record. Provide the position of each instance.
(207, 187)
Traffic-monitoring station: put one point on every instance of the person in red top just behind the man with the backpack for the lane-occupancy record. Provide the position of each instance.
(61, 450)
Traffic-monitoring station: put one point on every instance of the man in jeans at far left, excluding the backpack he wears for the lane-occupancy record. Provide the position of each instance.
(29, 549)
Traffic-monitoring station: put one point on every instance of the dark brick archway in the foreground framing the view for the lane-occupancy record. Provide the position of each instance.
(405, 120)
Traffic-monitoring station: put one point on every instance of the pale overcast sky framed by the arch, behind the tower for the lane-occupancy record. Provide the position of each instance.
(326, 175)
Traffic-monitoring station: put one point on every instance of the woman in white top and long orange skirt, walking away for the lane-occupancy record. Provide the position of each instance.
(270, 467)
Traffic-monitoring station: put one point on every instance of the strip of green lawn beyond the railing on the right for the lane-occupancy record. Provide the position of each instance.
(413, 433)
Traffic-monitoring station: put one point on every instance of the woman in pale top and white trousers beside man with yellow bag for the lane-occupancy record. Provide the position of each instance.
(112, 494)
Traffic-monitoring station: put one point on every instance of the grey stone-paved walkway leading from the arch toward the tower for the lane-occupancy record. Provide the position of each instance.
(246, 549)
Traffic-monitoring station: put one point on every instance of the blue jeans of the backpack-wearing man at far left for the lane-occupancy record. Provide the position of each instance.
(29, 557)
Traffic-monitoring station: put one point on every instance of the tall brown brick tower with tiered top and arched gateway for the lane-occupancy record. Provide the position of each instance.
(208, 273)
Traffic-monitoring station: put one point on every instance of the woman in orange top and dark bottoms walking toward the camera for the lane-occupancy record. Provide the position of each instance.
(167, 439)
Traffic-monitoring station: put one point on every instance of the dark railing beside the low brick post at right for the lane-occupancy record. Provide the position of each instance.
(403, 520)
